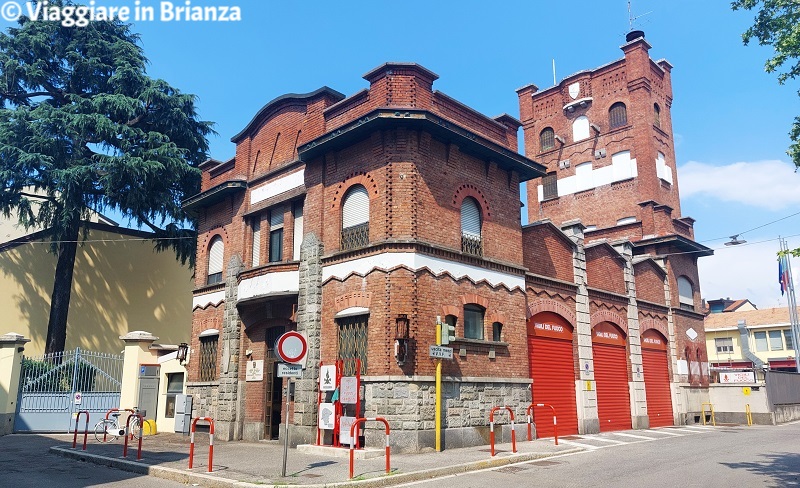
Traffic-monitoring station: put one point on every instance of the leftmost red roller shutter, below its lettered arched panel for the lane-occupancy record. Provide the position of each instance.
(553, 373)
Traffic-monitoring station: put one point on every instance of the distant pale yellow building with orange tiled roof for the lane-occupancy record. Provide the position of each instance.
(748, 339)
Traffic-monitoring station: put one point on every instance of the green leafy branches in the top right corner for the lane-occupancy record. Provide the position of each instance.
(777, 24)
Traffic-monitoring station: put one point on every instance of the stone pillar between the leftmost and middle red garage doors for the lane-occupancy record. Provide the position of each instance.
(585, 388)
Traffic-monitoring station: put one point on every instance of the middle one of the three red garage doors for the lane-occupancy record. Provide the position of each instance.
(611, 377)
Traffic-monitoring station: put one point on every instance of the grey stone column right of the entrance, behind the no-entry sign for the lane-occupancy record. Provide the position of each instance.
(309, 321)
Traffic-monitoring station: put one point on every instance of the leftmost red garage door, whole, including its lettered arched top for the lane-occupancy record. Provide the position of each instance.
(553, 372)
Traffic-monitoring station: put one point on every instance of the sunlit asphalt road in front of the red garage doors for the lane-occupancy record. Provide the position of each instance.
(758, 456)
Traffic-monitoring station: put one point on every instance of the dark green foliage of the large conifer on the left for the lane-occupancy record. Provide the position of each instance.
(83, 128)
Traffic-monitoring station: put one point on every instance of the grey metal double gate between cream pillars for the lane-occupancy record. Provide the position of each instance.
(55, 386)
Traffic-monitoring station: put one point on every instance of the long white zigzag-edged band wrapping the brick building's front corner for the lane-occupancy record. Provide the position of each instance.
(414, 261)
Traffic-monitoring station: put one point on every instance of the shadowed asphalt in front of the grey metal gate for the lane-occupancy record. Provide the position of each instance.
(26, 463)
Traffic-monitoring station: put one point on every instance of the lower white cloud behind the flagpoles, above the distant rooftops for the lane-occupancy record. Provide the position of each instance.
(747, 271)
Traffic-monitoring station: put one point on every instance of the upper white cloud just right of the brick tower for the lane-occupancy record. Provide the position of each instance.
(771, 185)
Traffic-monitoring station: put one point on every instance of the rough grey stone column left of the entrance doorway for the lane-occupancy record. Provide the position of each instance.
(229, 422)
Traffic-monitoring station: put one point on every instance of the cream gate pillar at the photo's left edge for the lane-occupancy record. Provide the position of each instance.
(11, 347)
